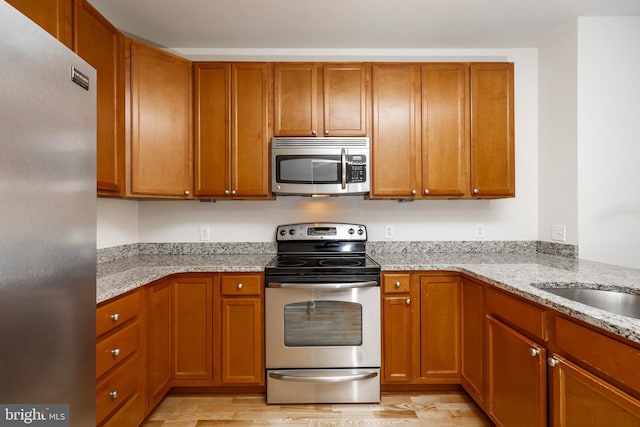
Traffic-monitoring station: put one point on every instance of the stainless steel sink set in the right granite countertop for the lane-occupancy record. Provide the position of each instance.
(612, 300)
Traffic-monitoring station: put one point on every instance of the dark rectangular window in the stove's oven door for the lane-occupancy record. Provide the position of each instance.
(322, 323)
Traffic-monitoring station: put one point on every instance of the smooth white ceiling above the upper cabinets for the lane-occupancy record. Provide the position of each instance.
(351, 24)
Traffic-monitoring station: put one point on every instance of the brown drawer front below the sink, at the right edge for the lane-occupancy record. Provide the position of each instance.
(615, 359)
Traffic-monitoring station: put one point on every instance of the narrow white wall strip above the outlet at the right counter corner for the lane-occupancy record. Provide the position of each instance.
(558, 137)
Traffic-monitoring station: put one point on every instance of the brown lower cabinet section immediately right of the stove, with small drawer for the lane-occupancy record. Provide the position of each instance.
(421, 328)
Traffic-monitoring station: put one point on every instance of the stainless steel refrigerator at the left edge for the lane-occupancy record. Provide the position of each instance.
(47, 228)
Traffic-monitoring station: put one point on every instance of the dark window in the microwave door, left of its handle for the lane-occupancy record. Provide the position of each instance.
(308, 169)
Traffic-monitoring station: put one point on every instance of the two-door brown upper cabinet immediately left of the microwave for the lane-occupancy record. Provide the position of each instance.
(232, 129)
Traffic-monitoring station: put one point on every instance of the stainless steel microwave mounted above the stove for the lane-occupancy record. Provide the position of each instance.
(320, 166)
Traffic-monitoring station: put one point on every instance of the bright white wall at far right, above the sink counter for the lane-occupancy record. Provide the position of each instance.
(609, 139)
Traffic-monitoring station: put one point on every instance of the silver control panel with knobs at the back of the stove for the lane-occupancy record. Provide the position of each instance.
(321, 231)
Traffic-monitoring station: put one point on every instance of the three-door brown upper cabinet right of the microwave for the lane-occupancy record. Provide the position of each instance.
(442, 130)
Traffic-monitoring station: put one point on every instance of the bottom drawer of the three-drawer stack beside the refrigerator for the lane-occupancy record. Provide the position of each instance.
(116, 388)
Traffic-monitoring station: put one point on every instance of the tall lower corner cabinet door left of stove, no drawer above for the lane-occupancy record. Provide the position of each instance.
(192, 329)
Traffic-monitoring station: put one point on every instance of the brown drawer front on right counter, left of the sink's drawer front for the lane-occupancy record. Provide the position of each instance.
(529, 318)
